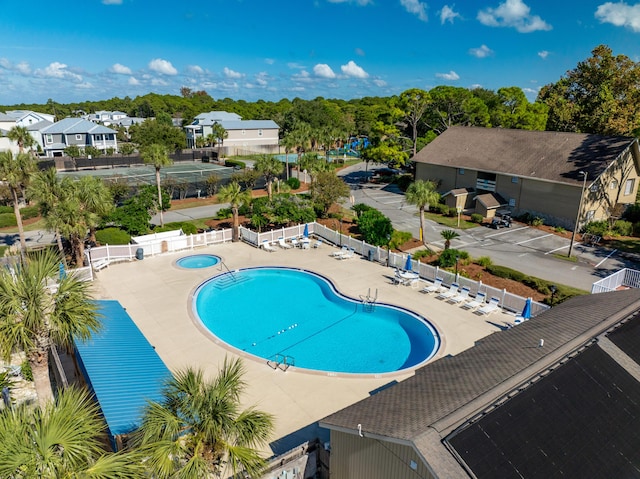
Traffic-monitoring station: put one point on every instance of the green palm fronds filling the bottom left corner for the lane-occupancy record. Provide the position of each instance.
(61, 439)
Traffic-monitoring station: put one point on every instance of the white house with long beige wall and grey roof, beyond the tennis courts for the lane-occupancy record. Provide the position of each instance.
(242, 135)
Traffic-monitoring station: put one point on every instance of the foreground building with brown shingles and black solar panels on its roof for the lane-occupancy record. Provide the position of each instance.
(555, 396)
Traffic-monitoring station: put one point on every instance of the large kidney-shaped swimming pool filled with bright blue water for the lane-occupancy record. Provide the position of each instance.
(279, 311)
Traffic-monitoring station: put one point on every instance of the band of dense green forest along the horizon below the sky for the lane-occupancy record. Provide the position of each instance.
(599, 96)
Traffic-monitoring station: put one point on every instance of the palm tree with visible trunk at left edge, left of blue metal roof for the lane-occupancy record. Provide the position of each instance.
(33, 315)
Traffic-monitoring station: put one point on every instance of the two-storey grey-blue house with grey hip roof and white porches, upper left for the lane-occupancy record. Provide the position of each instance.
(76, 131)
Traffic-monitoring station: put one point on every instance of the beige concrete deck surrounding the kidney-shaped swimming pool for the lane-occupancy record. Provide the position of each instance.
(156, 294)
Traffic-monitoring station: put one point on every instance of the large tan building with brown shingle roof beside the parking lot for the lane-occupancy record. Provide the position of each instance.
(548, 174)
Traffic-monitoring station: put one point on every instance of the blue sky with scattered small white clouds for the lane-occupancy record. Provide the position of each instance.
(272, 49)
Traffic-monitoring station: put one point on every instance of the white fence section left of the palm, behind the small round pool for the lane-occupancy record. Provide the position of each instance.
(104, 255)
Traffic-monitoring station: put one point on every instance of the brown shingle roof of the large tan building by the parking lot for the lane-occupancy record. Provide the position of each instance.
(547, 155)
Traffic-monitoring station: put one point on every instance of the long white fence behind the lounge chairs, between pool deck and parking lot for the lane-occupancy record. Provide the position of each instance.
(508, 301)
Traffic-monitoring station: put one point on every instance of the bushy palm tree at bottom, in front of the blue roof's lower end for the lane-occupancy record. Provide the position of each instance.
(198, 429)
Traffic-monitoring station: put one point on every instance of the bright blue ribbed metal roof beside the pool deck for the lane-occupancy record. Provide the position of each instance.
(122, 368)
